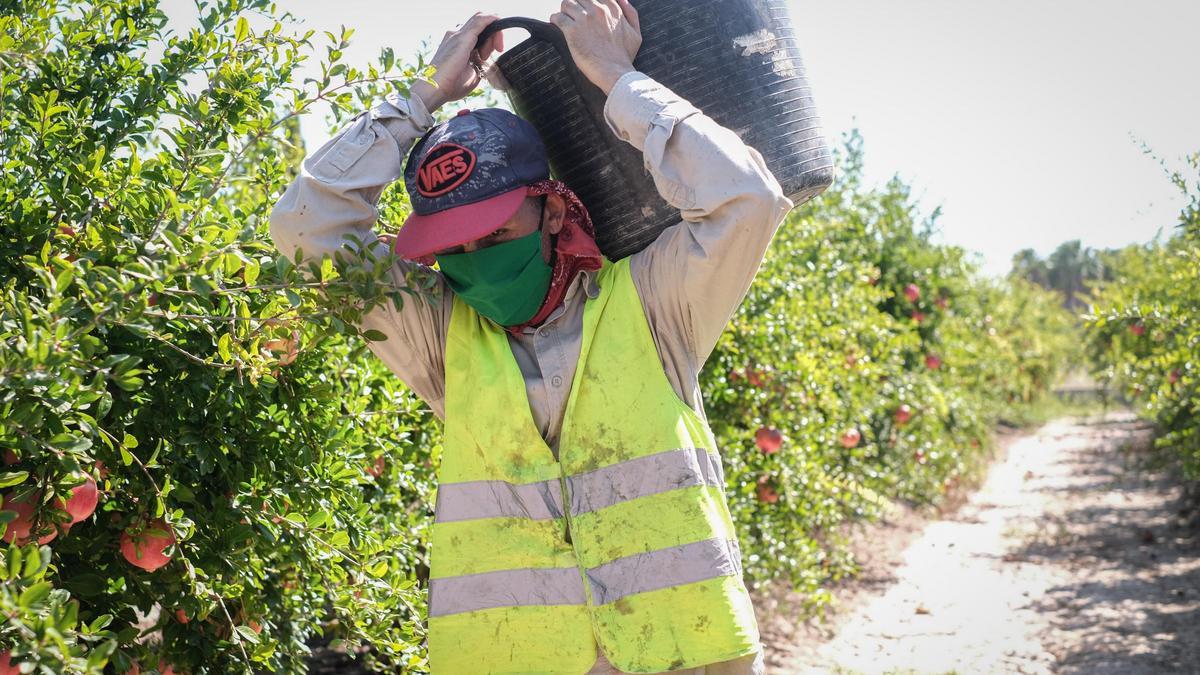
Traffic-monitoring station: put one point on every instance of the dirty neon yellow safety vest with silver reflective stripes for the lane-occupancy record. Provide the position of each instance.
(626, 541)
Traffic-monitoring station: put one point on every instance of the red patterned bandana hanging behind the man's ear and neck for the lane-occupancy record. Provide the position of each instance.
(575, 249)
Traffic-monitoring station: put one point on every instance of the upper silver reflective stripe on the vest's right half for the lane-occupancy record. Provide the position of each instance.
(644, 476)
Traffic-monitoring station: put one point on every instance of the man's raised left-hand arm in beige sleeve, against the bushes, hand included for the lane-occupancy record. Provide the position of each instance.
(338, 192)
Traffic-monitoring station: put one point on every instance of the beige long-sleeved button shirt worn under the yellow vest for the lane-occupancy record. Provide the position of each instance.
(691, 279)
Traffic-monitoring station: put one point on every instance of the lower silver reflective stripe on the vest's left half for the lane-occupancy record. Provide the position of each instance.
(507, 588)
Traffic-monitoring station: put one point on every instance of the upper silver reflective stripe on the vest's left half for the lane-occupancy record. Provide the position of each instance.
(499, 499)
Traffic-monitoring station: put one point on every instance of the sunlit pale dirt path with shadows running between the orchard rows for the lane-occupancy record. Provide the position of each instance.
(1070, 559)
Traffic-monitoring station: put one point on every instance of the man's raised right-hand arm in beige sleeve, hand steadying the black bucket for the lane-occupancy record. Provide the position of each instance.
(695, 274)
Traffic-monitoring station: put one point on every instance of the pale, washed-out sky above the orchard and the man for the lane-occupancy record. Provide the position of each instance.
(1021, 118)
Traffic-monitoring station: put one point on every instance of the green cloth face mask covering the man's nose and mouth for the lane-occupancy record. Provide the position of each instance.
(506, 283)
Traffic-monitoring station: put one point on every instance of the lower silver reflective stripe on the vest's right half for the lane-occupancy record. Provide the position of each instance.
(664, 569)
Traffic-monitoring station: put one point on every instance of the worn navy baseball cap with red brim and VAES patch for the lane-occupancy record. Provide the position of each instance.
(466, 177)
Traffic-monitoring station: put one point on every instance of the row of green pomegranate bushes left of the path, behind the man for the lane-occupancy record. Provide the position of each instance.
(207, 468)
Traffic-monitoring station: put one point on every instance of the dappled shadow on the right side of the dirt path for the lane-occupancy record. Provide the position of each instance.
(1131, 531)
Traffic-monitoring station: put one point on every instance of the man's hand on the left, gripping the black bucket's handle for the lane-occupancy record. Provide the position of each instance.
(457, 77)
